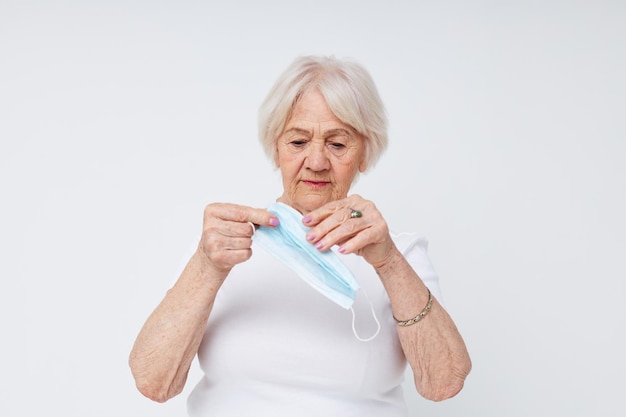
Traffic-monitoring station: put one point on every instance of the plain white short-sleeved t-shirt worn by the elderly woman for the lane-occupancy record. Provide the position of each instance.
(275, 347)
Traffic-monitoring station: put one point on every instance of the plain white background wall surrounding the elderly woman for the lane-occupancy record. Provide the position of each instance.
(120, 120)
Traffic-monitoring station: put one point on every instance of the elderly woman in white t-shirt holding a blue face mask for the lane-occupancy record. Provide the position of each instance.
(269, 344)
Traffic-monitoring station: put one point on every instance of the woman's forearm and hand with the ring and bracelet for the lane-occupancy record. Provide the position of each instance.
(433, 346)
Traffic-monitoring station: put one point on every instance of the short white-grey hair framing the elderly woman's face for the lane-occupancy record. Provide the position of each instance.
(350, 94)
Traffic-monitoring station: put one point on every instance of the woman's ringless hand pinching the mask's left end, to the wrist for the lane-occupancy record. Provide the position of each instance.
(227, 234)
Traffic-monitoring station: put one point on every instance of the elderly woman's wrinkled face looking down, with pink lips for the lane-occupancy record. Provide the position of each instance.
(318, 155)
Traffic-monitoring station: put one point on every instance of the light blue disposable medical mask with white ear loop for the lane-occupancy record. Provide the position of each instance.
(323, 271)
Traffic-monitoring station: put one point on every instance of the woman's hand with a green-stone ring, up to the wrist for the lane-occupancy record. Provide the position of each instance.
(366, 235)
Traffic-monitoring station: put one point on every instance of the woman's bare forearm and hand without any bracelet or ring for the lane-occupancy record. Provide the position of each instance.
(168, 341)
